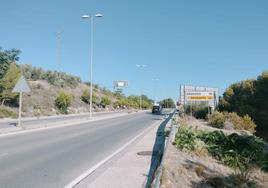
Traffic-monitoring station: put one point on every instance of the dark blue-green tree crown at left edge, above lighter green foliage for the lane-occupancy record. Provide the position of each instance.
(6, 58)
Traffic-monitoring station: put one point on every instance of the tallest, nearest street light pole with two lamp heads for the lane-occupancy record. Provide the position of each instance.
(91, 17)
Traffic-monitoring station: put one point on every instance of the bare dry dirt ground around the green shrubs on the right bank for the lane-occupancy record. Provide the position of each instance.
(185, 169)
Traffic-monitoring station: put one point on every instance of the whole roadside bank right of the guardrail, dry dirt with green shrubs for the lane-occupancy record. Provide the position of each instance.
(206, 156)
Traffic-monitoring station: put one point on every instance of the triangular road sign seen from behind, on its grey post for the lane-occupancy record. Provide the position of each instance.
(20, 87)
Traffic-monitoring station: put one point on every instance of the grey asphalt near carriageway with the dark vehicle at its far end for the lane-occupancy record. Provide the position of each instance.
(54, 157)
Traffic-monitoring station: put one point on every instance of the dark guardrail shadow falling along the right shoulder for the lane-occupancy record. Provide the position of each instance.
(158, 150)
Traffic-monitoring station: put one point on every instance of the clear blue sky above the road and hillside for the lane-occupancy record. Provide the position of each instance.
(209, 43)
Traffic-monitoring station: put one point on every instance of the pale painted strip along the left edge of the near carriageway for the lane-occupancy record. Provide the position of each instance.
(62, 124)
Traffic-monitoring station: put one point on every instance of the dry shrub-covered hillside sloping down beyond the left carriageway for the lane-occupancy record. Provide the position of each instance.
(54, 92)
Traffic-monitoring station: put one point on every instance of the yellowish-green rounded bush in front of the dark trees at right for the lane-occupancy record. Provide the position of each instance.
(217, 119)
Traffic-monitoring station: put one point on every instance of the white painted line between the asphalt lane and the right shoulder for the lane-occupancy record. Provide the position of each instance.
(96, 166)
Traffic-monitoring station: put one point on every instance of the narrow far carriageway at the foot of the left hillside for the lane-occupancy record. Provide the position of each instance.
(53, 119)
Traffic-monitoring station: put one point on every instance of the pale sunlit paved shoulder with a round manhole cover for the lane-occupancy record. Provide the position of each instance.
(128, 168)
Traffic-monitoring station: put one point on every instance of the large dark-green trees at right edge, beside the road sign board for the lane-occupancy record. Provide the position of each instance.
(249, 97)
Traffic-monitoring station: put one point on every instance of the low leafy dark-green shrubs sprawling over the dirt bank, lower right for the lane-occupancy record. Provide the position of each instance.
(242, 153)
